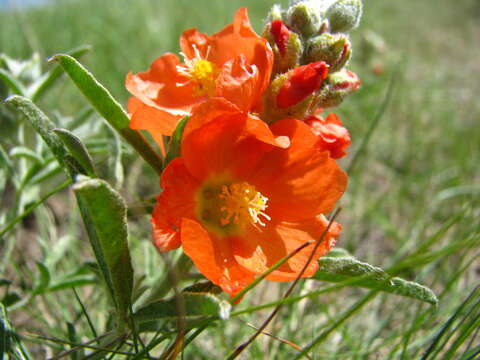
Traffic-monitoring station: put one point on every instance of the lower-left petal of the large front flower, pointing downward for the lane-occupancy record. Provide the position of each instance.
(213, 258)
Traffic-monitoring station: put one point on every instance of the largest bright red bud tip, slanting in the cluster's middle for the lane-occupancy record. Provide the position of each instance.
(302, 82)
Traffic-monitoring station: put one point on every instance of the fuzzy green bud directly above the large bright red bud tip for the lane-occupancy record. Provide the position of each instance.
(335, 50)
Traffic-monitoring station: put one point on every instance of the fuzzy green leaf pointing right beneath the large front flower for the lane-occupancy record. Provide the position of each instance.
(340, 269)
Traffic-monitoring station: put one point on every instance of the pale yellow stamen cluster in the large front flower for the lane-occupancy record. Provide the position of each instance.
(242, 204)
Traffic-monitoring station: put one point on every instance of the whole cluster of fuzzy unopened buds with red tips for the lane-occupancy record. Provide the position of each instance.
(312, 49)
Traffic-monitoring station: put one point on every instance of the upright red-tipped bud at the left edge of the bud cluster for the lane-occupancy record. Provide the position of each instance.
(286, 44)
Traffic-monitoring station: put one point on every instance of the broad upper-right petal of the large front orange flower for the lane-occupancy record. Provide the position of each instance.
(300, 182)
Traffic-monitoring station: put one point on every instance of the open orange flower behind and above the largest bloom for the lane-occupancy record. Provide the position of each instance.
(234, 63)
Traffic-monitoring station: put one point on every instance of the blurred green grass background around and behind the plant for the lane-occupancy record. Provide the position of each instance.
(418, 172)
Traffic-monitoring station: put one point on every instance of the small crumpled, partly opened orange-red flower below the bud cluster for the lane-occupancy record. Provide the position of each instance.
(332, 136)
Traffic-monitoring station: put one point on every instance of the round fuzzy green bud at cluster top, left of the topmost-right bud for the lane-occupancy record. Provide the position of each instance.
(304, 19)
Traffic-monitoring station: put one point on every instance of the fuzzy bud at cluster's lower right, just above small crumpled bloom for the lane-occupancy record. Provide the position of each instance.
(336, 88)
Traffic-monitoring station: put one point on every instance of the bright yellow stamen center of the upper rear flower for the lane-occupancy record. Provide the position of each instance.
(201, 72)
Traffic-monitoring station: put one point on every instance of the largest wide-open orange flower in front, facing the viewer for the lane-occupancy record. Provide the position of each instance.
(244, 195)
